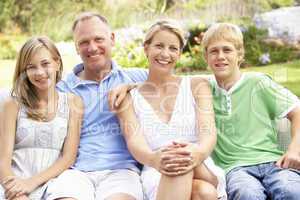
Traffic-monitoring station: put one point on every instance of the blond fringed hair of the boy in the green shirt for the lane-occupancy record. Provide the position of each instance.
(228, 32)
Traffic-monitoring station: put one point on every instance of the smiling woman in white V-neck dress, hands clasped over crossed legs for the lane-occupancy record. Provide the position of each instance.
(168, 124)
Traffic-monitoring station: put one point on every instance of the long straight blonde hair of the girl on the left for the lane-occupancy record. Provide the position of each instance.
(23, 90)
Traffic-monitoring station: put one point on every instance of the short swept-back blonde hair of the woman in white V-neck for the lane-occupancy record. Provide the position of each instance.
(168, 25)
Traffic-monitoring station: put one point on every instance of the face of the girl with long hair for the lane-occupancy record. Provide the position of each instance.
(42, 69)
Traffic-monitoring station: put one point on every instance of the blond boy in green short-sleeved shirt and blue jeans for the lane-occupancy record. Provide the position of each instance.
(247, 106)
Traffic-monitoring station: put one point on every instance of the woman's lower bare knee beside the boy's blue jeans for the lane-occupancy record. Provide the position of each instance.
(203, 190)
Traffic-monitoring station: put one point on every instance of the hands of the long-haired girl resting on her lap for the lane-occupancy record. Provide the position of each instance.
(16, 187)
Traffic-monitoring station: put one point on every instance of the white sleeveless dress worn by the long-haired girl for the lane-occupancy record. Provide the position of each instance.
(38, 144)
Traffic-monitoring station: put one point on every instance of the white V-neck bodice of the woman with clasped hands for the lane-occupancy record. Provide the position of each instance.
(182, 124)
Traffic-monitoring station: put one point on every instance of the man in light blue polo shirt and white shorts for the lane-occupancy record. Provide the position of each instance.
(104, 168)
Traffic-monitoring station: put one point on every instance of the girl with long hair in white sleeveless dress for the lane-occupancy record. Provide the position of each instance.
(40, 129)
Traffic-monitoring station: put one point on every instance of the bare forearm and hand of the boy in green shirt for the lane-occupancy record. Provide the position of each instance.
(291, 159)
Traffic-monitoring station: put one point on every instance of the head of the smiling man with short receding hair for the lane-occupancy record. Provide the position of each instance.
(94, 42)
